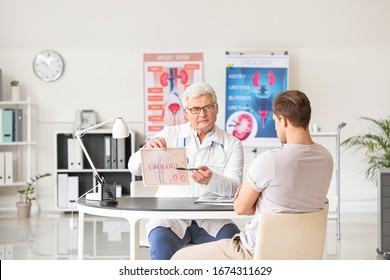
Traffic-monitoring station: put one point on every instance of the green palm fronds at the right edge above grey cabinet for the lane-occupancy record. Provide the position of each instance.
(375, 143)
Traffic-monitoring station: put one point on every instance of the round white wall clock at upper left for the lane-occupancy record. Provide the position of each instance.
(48, 65)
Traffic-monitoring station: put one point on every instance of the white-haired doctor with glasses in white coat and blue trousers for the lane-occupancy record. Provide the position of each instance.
(219, 159)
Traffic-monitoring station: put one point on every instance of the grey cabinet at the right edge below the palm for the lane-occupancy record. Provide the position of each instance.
(384, 212)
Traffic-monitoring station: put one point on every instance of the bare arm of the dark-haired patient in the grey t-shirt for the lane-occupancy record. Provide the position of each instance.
(245, 199)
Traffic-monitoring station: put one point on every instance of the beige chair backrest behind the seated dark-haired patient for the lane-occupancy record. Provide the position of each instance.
(291, 236)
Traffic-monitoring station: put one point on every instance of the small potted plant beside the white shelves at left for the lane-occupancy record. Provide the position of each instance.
(28, 195)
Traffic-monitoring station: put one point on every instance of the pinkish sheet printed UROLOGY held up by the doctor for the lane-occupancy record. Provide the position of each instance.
(159, 167)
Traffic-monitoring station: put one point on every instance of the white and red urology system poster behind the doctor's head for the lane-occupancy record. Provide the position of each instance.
(166, 76)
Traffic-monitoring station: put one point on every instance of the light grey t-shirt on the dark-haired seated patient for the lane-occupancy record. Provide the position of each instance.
(291, 179)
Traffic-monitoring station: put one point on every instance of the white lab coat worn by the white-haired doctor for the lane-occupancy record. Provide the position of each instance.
(220, 151)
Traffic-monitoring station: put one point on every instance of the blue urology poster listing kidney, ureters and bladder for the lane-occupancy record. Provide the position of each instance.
(252, 82)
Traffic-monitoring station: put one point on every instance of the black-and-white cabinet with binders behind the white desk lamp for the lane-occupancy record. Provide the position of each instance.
(73, 173)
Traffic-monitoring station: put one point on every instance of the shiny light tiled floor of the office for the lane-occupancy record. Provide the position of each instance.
(50, 237)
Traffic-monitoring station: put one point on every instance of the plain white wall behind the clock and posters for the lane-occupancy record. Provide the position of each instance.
(339, 56)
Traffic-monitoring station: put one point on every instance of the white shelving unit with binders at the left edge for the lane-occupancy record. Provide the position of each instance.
(15, 143)
